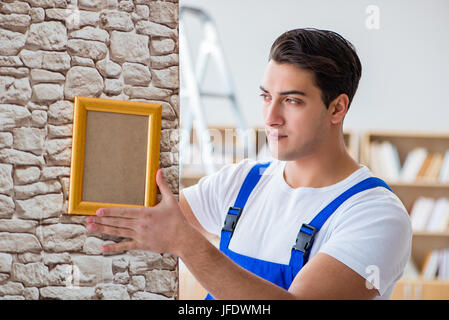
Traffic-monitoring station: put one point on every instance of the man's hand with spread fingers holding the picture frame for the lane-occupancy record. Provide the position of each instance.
(159, 229)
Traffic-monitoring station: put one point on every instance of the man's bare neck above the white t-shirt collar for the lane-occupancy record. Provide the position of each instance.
(323, 168)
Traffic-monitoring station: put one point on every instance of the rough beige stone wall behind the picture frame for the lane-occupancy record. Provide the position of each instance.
(50, 52)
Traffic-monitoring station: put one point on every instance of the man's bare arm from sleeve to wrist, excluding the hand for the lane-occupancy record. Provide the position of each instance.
(323, 277)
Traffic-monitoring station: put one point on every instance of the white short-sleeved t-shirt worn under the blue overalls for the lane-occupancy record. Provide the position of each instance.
(370, 232)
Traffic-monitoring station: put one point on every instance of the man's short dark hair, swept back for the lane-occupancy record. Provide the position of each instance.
(327, 54)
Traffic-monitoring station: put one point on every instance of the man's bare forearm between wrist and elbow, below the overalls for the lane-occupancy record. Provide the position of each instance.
(219, 275)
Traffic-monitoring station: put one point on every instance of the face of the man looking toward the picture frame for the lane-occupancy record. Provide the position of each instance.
(294, 114)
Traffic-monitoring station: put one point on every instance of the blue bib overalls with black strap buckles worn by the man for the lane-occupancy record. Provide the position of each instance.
(277, 273)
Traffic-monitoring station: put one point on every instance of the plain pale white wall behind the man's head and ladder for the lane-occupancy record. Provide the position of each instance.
(405, 77)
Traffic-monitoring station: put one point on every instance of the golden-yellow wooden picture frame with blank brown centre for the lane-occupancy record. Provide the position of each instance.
(115, 154)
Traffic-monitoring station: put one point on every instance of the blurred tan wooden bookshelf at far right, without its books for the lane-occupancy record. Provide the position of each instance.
(422, 242)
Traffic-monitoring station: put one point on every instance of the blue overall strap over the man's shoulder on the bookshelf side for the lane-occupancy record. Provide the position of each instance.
(306, 234)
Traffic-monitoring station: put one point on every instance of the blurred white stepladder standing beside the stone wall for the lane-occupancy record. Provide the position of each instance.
(193, 73)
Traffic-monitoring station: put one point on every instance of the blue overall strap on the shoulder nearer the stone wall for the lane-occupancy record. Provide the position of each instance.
(235, 211)
